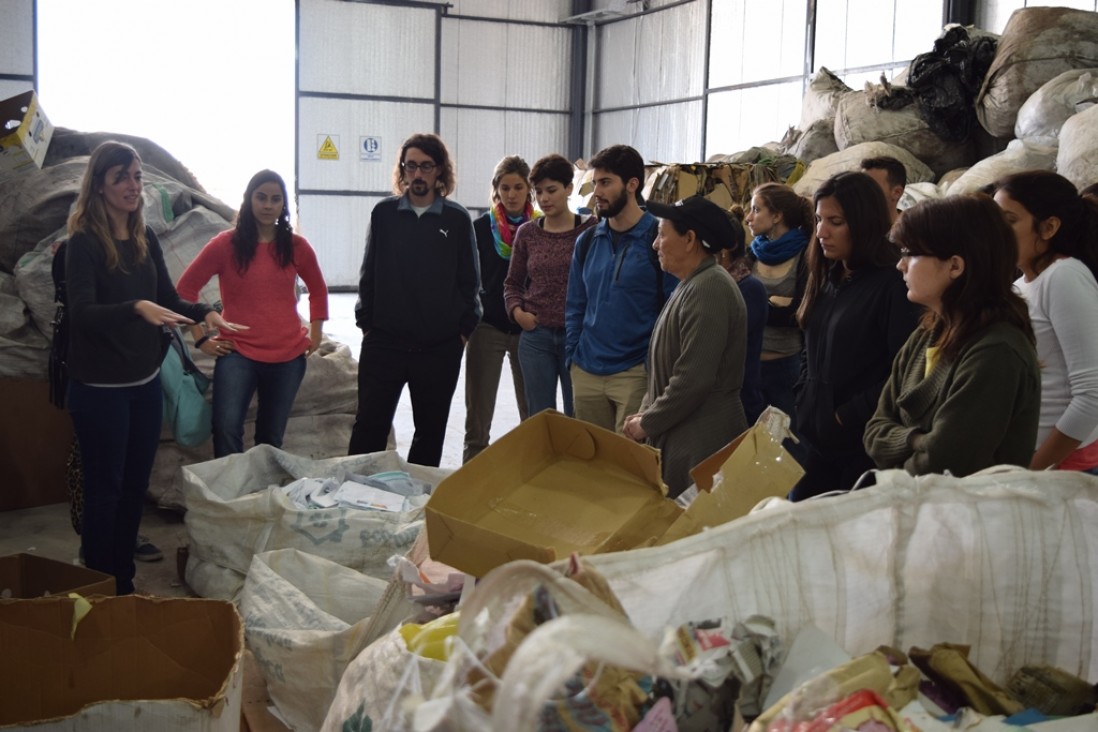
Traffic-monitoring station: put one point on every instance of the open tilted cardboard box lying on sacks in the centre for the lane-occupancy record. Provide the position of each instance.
(552, 487)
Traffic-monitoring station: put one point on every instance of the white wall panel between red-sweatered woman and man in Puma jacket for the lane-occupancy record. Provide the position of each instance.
(337, 228)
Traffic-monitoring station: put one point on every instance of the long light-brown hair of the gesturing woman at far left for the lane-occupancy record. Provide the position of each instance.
(89, 215)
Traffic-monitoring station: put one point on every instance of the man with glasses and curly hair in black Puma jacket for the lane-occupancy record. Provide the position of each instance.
(418, 302)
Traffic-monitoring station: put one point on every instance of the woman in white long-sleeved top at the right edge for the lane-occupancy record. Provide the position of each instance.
(1058, 255)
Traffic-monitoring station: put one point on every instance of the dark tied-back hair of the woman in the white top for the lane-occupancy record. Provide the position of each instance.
(1046, 195)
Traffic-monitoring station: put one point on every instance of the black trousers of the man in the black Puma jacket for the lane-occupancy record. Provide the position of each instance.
(431, 375)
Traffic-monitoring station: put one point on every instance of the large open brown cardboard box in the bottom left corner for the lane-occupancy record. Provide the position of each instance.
(133, 663)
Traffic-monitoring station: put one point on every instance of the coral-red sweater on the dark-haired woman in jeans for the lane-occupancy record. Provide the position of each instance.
(265, 299)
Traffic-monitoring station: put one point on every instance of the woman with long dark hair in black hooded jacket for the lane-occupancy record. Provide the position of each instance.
(856, 316)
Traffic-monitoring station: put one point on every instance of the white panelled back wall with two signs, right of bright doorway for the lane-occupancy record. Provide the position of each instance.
(491, 77)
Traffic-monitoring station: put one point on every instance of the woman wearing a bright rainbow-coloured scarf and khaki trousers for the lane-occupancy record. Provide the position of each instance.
(497, 335)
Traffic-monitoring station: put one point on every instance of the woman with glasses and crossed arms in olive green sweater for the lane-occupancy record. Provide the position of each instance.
(966, 390)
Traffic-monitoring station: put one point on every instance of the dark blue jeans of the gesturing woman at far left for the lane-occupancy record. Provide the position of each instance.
(119, 430)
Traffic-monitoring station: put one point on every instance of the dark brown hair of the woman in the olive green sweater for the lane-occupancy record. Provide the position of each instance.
(972, 228)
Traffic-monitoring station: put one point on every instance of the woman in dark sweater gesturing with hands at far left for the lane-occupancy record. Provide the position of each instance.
(120, 299)
